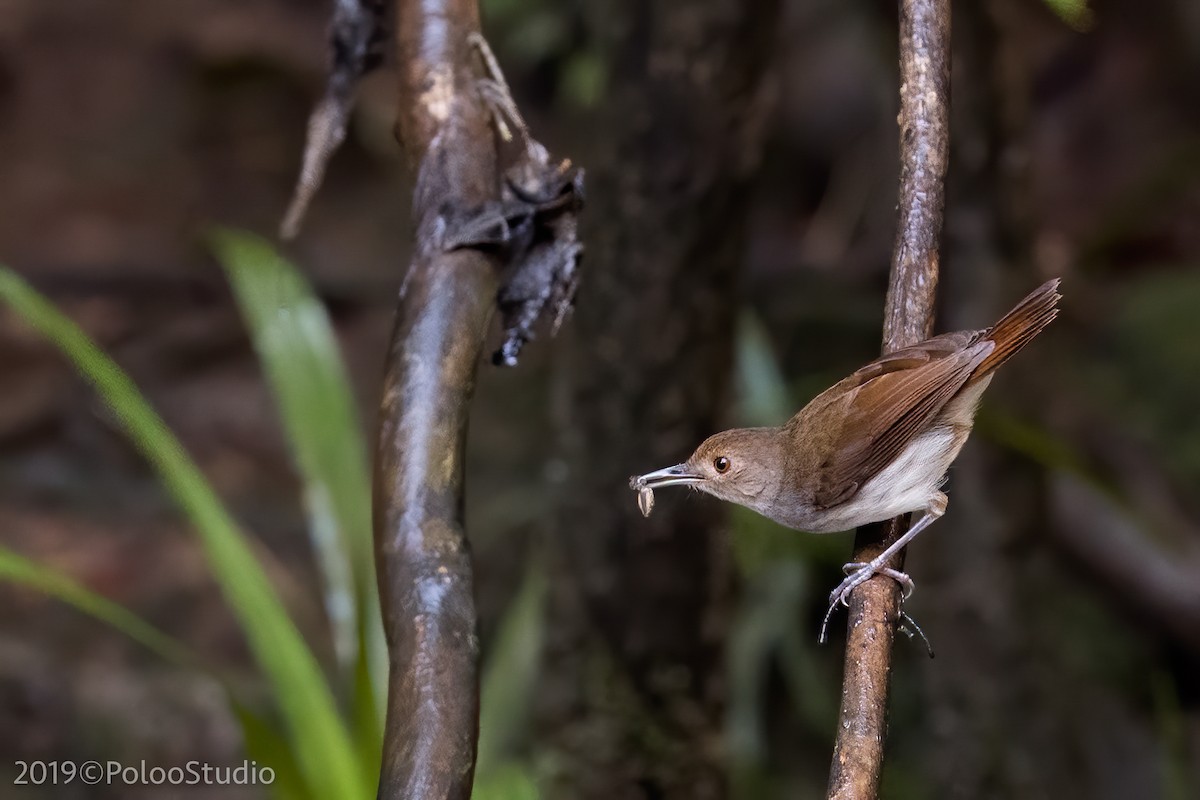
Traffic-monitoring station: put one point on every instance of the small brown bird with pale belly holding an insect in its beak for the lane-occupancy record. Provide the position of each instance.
(872, 448)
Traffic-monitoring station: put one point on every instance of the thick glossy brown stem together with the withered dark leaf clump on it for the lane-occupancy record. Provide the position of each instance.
(485, 204)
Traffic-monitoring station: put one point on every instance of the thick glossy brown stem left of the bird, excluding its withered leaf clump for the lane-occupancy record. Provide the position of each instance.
(446, 305)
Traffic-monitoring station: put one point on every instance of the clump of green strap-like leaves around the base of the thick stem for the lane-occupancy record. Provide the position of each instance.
(311, 745)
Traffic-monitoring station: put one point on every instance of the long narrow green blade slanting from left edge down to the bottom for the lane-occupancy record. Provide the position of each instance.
(311, 719)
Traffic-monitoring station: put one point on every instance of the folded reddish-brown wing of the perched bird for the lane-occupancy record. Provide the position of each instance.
(886, 405)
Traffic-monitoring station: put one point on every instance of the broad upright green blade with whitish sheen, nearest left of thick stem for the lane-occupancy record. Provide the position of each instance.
(296, 344)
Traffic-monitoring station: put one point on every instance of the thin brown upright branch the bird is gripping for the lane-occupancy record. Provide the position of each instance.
(908, 320)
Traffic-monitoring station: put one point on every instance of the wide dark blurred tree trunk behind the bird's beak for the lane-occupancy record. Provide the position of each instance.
(632, 701)
